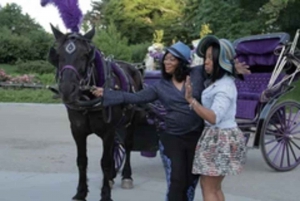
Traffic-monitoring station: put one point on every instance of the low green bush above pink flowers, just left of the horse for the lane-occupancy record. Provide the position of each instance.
(38, 67)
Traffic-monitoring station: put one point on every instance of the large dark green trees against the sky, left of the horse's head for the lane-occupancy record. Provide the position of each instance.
(21, 37)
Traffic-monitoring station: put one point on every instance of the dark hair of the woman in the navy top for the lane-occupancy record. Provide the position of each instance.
(180, 72)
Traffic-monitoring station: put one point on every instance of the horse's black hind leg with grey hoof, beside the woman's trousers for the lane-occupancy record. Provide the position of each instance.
(127, 181)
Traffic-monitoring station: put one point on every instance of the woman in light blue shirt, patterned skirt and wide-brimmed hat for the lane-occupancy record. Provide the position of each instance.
(221, 149)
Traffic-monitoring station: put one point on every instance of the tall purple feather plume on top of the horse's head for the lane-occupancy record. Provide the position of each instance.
(69, 11)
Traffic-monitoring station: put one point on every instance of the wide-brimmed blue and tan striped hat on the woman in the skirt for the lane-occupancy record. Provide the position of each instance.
(227, 52)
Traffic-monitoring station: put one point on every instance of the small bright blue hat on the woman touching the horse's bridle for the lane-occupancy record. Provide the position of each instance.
(180, 50)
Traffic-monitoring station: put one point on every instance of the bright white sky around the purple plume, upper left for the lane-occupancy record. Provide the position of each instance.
(45, 15)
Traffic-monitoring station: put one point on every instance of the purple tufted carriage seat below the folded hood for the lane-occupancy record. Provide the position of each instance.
(249, 92)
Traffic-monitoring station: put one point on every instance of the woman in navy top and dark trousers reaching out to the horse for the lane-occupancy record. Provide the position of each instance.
(183, 126)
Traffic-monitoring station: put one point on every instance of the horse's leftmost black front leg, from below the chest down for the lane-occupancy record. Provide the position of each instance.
(82, 162)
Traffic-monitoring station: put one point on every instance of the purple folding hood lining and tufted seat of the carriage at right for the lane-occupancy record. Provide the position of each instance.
(258, 52)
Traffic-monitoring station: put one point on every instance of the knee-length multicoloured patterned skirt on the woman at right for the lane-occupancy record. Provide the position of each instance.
(220, 152)
